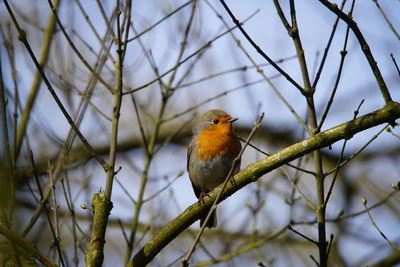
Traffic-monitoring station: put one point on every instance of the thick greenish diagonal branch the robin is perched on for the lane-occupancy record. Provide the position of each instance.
(254, 171)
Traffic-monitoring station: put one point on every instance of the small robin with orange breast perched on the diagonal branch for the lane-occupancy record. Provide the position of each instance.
(211, 152)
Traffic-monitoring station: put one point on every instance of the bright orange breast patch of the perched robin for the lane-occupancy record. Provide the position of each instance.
(217, 142)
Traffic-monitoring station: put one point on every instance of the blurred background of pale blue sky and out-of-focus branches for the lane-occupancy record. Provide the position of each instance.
(183, 58)
